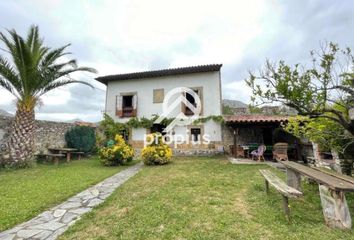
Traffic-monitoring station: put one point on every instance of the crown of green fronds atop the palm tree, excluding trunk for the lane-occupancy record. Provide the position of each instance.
(35, 69)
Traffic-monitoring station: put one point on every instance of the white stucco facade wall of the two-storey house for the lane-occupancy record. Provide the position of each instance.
(211, 100)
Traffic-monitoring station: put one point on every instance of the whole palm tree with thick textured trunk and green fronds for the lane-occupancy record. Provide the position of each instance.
(31, 71)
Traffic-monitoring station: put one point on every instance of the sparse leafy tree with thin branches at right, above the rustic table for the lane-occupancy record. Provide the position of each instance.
(312, 91)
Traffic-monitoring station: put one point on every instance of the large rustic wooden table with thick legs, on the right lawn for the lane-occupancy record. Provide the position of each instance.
(332, 189)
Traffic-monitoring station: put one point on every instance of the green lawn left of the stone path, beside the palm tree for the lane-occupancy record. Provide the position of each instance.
(27, 192)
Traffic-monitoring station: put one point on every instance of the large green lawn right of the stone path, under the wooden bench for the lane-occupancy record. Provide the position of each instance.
(204, 198)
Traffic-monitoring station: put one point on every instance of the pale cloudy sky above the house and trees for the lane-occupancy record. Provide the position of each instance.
(121, 36)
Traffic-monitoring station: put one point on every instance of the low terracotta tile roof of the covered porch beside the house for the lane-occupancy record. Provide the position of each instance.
(255, 118)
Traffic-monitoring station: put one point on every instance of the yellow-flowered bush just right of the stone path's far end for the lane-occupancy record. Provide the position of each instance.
(157, 153)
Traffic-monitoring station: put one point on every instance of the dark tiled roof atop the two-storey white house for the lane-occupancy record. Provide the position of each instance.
(160, 73)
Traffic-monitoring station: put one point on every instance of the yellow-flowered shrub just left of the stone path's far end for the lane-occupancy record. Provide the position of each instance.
(117, 153)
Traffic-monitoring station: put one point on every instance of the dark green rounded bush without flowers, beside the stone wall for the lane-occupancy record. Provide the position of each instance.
(81, 137)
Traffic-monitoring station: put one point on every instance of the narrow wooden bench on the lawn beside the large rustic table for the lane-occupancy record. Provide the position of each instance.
(285, 190)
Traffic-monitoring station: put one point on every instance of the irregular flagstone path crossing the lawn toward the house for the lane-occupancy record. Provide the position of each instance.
(50, 224)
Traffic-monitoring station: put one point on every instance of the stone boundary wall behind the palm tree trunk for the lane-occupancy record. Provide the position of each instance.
(48, 134)
